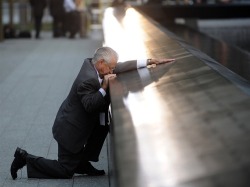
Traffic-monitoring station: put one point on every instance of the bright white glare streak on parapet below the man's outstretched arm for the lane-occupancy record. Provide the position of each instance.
(147, 113)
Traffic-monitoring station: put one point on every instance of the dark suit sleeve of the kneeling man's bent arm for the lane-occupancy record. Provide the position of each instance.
(91, 99)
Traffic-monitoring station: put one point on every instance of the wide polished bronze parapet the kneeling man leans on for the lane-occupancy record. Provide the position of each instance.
(184, 123)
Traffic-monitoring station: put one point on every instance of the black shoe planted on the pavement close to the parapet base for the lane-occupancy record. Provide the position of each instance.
(88, 169)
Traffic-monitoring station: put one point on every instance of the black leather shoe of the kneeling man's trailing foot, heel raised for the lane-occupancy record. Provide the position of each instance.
(18, 162)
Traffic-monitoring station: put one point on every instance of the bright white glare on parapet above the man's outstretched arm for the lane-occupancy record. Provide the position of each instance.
(128, 33)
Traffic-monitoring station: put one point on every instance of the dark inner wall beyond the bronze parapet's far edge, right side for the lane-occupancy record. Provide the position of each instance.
(230, 56)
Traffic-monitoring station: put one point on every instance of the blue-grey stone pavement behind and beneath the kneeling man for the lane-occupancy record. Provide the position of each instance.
(35, 77)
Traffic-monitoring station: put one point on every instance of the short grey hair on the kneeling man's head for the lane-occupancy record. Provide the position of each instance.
(106, 53)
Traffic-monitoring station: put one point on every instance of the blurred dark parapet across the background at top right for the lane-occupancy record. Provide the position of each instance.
(167, 13)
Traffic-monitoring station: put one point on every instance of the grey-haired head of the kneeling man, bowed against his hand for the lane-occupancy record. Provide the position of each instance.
(105, 60)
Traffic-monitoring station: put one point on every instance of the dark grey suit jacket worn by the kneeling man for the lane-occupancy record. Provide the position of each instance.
(79, 113)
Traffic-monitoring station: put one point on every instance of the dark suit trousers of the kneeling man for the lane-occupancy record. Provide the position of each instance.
(68, 163)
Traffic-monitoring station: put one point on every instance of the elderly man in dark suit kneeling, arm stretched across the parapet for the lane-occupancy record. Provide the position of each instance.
(81, 124)
